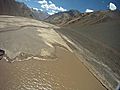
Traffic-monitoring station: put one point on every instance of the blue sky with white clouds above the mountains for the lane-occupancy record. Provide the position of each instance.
(54, 6)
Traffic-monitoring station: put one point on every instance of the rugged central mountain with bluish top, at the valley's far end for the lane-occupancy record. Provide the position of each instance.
(61, 18)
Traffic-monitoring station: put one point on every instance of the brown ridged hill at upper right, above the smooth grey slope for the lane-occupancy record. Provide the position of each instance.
(96, 17)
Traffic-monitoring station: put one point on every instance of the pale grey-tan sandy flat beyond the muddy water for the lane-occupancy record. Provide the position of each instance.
(27, 37)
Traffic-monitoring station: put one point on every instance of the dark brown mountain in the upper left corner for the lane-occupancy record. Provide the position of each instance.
(11, 7)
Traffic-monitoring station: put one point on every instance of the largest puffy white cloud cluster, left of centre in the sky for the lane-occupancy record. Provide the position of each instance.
(50, 7)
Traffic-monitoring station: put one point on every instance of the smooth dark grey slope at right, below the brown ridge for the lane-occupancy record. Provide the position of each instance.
(99, 45)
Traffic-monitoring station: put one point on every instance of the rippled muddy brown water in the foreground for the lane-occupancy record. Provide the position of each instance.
(64, 73)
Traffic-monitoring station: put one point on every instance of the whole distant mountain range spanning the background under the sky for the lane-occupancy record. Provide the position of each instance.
(11, 7)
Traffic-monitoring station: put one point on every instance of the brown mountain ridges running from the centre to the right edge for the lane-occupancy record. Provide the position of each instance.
(74, 16)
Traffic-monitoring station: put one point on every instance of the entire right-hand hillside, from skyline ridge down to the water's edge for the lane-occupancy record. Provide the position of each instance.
(96, 37)
